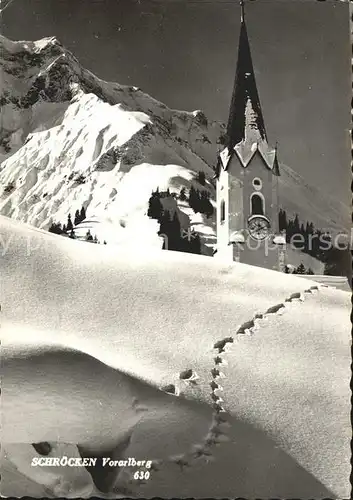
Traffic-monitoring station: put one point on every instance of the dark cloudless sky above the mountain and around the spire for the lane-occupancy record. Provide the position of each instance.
(184, 52)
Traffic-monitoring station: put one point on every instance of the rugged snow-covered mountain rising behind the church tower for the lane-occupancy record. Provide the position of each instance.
(69, 139)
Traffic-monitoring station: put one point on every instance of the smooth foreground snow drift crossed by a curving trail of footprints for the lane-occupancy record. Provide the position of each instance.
(92, 339)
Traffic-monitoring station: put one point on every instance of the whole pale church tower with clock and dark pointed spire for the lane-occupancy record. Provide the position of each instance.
(247, 176)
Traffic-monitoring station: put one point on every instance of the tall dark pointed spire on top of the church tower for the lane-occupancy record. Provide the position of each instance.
(245, 122)
